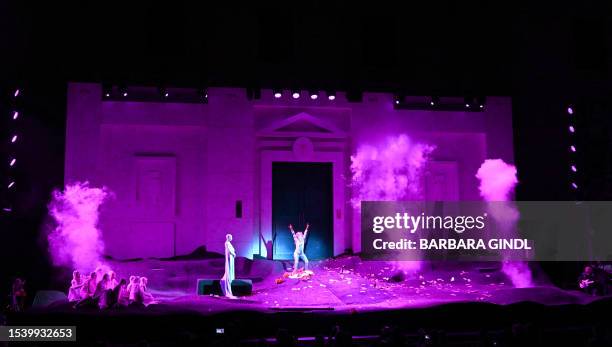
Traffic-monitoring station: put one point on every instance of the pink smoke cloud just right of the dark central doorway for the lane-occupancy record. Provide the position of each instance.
(391, 171)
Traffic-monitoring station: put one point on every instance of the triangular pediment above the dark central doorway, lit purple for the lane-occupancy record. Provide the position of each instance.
(302, 124)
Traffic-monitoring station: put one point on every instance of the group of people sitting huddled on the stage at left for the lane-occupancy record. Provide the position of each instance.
(102, 289)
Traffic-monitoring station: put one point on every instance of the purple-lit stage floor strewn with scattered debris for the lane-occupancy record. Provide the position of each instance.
(359, 295)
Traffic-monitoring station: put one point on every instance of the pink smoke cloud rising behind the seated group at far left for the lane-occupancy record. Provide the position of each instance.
(76, 241)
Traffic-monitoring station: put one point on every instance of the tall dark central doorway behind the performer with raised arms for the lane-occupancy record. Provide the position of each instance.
(302, 193)
